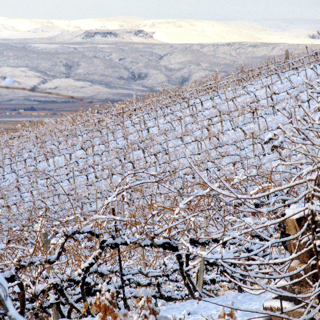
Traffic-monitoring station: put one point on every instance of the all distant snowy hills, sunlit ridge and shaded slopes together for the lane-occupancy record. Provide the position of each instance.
(112, 59)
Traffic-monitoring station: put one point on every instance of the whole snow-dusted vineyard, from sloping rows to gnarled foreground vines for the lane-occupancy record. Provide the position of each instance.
(186, 193)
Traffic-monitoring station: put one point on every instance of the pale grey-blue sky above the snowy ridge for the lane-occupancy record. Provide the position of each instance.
(162, 9)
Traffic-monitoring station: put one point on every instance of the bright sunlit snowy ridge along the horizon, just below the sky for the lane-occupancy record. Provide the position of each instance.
(169, 31)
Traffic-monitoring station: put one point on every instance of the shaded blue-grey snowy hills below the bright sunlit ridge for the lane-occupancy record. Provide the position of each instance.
(119, 70)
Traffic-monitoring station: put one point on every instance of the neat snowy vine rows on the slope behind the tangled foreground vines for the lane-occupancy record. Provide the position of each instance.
(104, 145)
